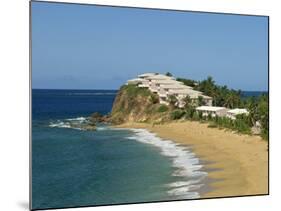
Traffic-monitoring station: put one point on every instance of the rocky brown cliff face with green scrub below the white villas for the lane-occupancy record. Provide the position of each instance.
(134, 104)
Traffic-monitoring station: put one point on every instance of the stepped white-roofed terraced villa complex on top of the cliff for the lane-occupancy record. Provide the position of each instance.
(166, 86)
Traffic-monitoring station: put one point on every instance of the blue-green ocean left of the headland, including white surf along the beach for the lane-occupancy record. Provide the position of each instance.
(73, 167)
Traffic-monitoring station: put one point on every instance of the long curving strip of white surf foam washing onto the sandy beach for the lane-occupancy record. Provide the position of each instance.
(186, 163)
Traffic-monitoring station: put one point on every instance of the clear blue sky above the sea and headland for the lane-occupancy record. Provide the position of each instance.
(94, 47)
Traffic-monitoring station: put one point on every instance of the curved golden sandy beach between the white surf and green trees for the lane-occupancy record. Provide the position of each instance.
(237, 163)
